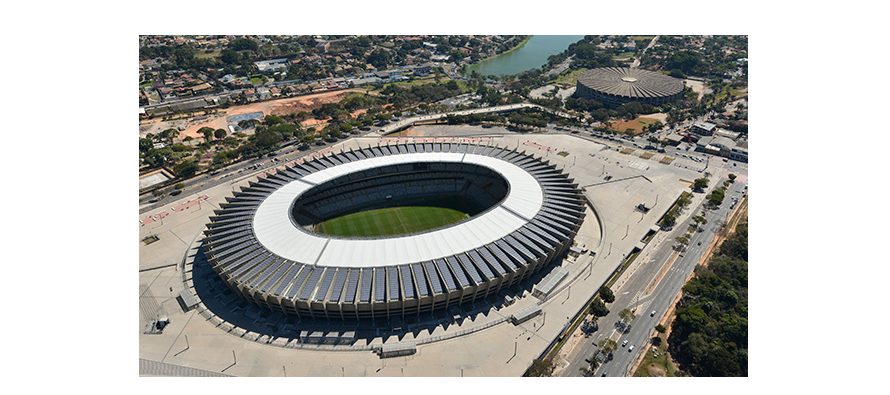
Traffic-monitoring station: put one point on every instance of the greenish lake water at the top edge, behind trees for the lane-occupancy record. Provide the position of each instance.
(531, 55)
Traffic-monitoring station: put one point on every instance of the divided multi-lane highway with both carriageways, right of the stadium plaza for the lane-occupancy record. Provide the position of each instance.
(633, 294)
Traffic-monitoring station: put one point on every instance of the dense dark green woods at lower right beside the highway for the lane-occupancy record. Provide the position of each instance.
(709, 336)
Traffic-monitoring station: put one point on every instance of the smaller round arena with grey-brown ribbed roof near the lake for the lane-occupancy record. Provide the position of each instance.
(619, 85)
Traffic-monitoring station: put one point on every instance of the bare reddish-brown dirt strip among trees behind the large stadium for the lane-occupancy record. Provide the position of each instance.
(217, 120)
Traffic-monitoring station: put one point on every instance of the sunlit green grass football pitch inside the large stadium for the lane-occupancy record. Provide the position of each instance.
(390, 221)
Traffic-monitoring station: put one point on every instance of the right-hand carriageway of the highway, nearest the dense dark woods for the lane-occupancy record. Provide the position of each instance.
(667, 290)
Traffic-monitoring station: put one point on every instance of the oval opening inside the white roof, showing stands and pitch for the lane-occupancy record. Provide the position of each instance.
(398, 200)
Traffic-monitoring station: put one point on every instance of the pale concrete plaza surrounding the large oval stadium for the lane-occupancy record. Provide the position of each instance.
(613, 182)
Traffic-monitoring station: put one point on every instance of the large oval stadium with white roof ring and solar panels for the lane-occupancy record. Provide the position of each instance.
(394, 231)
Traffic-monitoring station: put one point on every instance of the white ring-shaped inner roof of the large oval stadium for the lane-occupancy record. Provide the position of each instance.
(275, 230)
